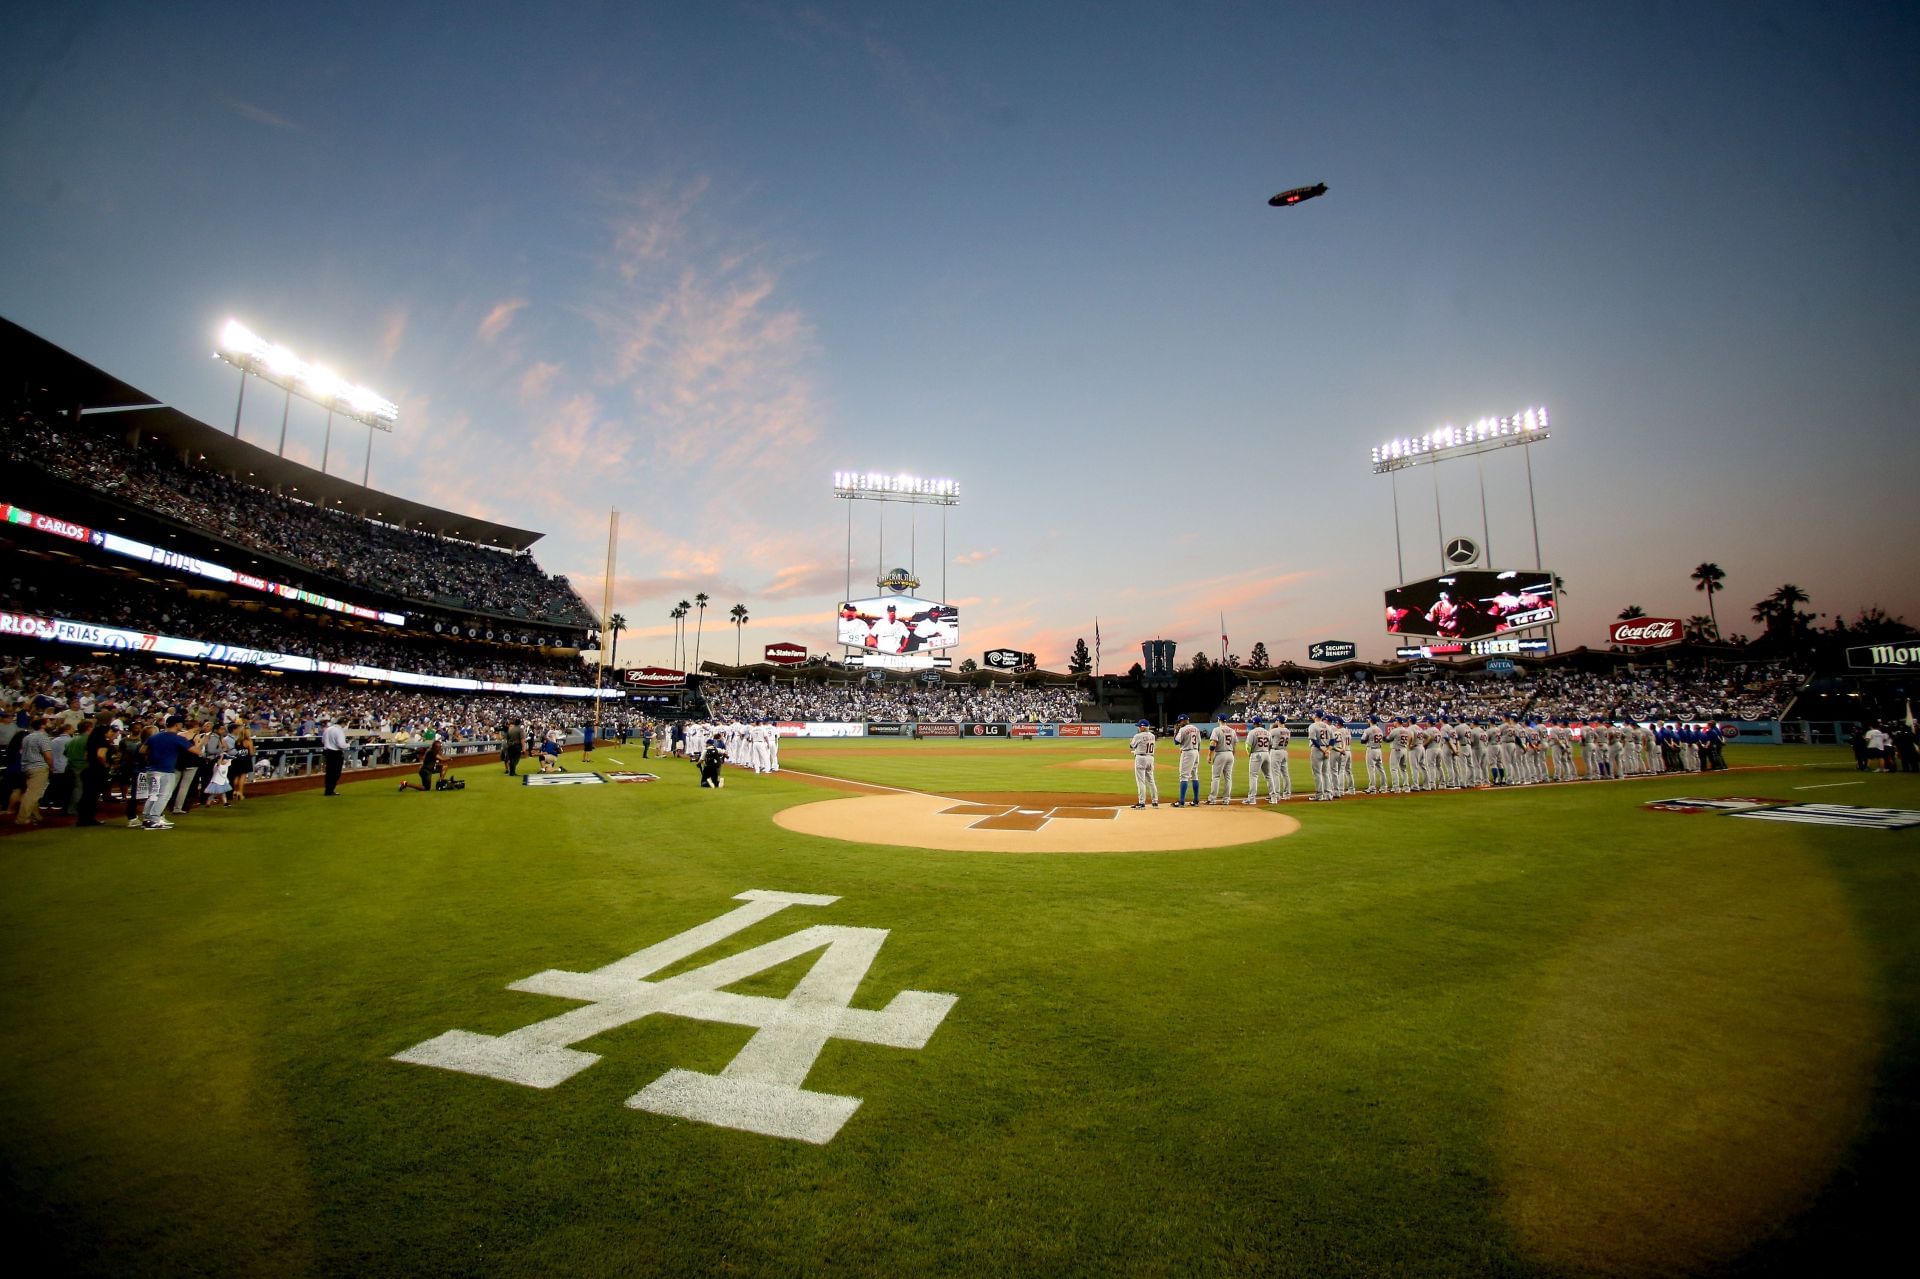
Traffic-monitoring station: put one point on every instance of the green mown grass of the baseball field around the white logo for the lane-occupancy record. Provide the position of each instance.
(1537, 1032)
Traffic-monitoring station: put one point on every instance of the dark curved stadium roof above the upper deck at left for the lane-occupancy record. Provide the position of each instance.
(66, 381)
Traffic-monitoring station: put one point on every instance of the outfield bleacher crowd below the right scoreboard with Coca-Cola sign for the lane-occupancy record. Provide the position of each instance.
(1740, 692)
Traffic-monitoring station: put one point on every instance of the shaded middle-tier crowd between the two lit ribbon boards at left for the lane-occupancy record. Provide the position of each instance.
(155, 610)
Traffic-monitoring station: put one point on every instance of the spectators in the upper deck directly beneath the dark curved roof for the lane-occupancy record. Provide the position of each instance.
(352, 550)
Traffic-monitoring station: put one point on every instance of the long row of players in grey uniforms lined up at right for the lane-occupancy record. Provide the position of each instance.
(1424, 754)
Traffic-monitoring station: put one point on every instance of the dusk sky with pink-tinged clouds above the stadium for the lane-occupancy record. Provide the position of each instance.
(692, 260)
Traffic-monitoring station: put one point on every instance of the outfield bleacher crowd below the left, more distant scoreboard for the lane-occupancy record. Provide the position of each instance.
(861, 700)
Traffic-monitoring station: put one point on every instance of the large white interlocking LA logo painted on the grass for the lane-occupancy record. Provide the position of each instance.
(759, 1092)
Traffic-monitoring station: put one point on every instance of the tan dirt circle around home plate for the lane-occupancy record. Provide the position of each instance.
(1040, 827)
